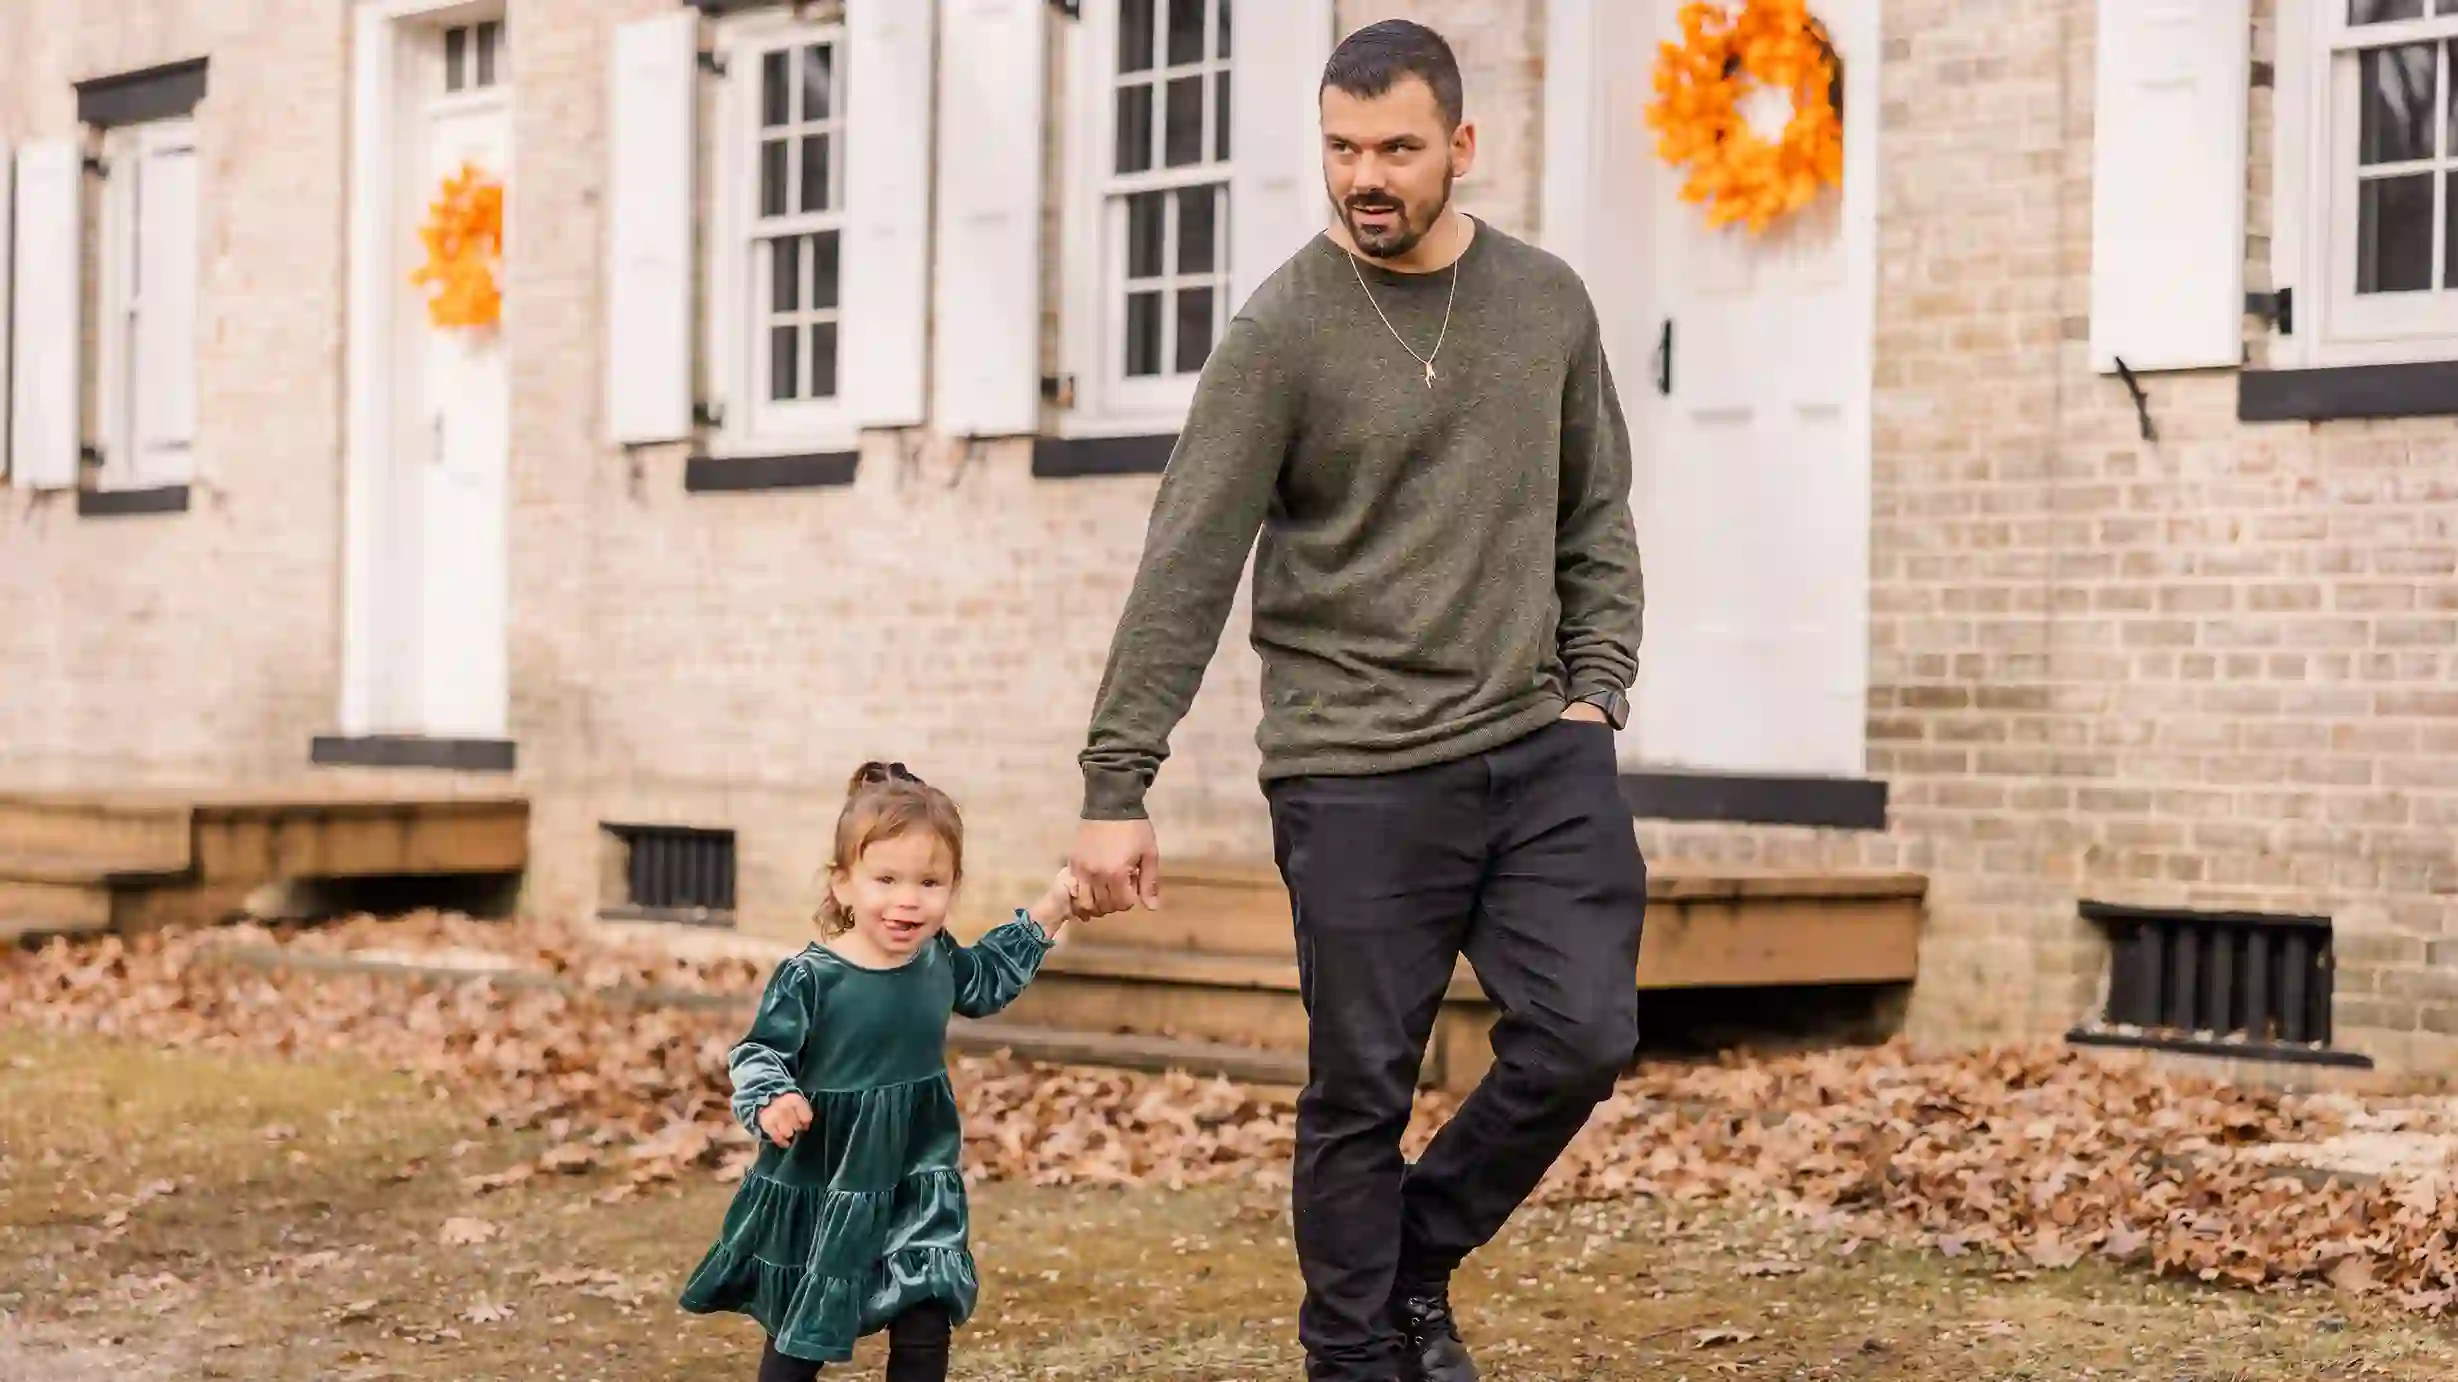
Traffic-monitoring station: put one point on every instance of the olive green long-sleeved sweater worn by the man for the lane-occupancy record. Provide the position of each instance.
(1439, 569)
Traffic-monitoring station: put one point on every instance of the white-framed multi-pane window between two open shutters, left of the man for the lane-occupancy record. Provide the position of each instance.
(780, 235)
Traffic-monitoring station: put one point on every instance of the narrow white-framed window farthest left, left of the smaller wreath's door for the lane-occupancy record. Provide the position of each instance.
(149, 306)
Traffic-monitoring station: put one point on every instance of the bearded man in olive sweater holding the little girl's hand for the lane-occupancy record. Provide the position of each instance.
(1417, 419)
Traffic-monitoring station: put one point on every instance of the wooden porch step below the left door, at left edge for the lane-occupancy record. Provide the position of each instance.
(119, 862)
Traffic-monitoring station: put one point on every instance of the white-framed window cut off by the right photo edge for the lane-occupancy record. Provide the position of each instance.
(2368, 181)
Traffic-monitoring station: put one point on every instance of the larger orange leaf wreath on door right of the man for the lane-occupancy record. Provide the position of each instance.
(1727, 50)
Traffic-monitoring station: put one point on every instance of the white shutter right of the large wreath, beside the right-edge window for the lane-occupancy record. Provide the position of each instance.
(2169, 183)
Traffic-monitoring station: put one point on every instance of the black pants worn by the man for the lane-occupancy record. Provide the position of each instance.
(1520, 859)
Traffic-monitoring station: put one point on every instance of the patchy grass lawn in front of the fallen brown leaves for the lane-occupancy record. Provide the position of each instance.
(235, 1214)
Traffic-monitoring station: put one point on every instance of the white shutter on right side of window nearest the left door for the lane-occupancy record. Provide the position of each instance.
(886, 294)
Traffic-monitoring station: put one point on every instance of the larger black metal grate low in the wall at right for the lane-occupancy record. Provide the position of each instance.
(2218, 975)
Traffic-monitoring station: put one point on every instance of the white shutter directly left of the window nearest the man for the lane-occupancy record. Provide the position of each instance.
(987, 316)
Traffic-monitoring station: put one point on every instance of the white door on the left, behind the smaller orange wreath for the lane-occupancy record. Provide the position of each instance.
(458, 557)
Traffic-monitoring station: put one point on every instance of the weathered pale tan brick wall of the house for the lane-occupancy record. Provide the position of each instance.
(2201, 673)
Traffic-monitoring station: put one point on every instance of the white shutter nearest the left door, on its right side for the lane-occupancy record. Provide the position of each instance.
(650, 205)
